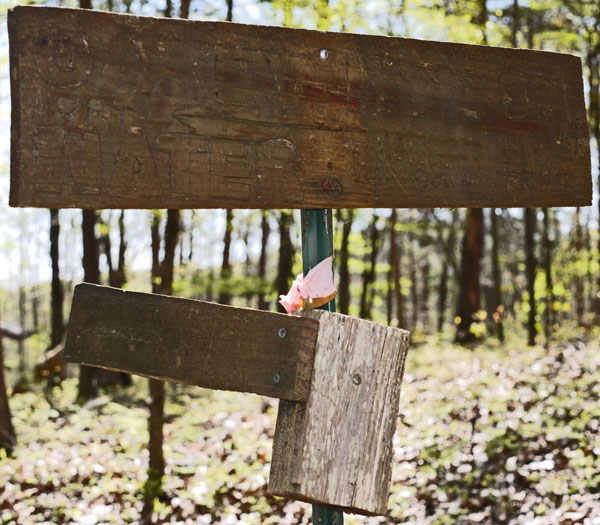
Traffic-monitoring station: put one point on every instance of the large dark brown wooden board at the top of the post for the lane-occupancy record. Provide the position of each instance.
(118, 111)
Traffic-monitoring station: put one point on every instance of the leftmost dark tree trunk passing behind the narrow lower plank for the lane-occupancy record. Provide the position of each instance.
(88, 376)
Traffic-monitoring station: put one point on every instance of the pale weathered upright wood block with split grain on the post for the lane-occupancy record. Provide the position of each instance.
(336, 449)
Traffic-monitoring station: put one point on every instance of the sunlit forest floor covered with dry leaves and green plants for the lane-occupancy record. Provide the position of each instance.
(497, 434)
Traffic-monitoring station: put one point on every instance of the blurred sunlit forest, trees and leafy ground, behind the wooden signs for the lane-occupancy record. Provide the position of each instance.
(499, 413)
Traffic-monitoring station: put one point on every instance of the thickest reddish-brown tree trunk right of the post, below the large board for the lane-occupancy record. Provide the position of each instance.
(468, 295)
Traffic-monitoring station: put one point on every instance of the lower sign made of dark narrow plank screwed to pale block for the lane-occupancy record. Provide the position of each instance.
(333, 441)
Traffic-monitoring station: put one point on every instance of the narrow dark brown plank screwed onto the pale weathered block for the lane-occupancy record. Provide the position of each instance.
(192, 342)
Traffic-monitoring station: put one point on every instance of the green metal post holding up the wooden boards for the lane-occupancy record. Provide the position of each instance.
(317, 244)
